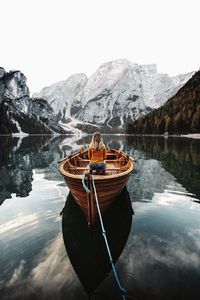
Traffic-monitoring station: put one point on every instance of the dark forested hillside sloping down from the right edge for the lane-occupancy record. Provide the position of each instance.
(179, 115)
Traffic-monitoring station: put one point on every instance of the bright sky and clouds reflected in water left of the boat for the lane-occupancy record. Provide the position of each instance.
(31, 246)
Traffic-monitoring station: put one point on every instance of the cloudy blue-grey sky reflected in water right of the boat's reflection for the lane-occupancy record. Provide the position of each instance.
(163, 251)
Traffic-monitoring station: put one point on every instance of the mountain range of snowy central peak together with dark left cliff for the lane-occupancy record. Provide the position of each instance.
(114, 96)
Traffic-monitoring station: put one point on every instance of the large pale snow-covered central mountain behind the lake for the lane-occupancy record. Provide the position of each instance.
(116, 94)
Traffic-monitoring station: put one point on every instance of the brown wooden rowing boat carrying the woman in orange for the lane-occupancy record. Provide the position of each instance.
(118, 169)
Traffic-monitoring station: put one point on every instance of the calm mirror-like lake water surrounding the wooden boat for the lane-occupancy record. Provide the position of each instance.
(157, 250)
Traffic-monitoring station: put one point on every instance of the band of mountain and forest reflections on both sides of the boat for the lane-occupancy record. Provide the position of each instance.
(179, 158)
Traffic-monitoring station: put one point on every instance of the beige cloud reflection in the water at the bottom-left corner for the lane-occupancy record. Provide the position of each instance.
(51, 273)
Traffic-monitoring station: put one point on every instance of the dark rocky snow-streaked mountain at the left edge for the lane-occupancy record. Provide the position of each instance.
(19, 114)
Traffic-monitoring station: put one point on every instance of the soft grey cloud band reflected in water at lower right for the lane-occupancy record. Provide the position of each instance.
(177, 253)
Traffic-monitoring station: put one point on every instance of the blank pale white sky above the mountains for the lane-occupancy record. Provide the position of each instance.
(49, 40)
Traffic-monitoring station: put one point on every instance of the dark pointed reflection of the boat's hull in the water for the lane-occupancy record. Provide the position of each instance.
(85, 246)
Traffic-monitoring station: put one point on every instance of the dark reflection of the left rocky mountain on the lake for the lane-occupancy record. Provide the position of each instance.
(18, 158)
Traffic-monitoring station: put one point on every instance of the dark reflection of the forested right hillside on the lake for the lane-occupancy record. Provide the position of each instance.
(179, 156)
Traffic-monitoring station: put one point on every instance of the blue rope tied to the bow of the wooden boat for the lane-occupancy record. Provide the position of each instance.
(121, 289)
